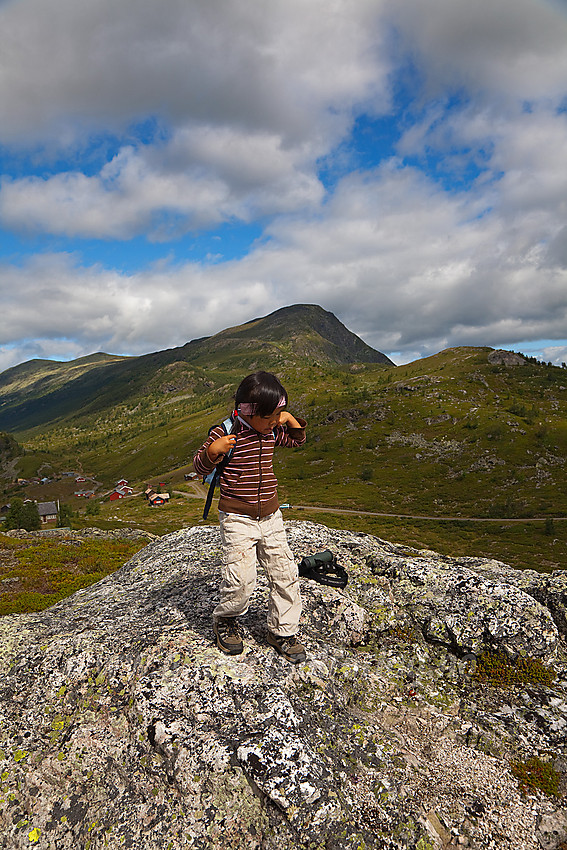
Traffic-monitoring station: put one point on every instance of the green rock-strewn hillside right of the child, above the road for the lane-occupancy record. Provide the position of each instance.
(452, 435)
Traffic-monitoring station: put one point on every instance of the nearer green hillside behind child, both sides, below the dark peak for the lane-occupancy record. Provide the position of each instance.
(450, 435)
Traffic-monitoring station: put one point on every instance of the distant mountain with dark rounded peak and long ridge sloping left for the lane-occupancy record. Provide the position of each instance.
(40, 393)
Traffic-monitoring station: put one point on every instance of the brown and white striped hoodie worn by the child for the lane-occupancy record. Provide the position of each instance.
(248, 484)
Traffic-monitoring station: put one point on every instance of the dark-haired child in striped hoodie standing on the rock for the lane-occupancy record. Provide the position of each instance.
(251, 522)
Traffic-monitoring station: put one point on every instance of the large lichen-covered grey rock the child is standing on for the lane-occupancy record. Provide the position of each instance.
(123, 727)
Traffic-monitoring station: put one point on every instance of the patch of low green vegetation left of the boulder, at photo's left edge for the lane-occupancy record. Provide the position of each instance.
(35, 575)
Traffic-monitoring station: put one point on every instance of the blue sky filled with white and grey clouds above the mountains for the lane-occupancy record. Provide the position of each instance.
(174, 167)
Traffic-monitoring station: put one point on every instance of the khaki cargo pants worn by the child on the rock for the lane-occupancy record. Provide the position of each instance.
(246, 542)
